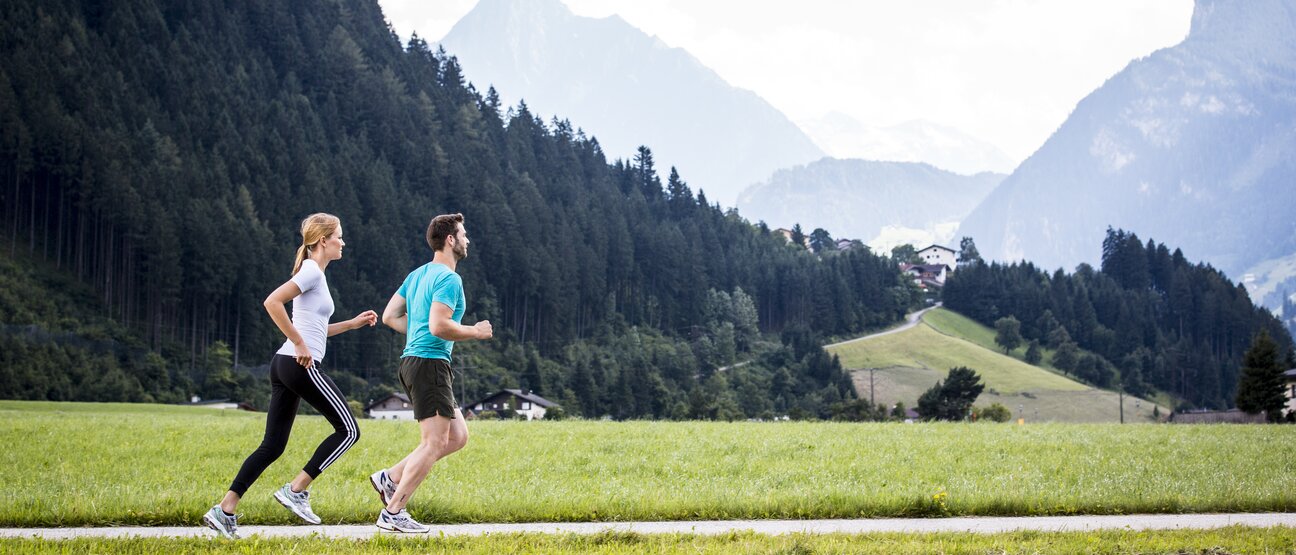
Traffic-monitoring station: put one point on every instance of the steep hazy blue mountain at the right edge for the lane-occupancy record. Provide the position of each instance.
(1194, 146)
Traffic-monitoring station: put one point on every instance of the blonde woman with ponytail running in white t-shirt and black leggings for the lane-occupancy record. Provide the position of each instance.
(295, 375)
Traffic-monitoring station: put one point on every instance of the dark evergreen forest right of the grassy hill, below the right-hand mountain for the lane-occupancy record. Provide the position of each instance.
(1151, 318)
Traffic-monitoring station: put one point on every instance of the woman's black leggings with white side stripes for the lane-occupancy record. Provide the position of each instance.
(291, 383)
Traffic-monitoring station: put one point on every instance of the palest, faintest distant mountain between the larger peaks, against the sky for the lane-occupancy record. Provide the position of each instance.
(910, 142)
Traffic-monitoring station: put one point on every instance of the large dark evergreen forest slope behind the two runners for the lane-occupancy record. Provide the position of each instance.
(161, 155)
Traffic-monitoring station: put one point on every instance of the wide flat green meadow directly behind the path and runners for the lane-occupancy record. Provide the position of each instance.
(104, 465)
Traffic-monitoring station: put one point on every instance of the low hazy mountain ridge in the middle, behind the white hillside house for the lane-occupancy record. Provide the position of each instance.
(860, 199)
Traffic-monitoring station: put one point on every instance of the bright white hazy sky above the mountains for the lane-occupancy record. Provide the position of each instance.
(1006, 72)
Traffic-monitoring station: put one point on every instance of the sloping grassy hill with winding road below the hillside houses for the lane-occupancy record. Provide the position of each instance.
(910, 362)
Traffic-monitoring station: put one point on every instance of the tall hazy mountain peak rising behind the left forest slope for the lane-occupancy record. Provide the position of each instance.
(628, 90)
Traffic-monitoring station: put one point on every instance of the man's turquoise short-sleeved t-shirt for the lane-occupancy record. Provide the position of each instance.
(427, 285)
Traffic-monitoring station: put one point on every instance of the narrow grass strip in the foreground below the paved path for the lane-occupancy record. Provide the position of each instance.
(1215, 543)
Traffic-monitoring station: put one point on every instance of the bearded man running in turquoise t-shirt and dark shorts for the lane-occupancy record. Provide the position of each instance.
(428, 309)
